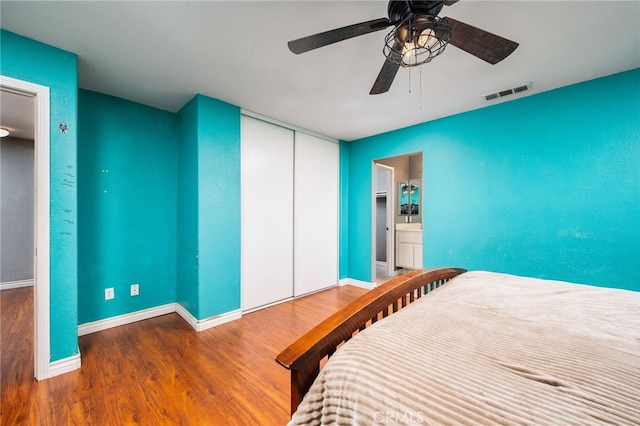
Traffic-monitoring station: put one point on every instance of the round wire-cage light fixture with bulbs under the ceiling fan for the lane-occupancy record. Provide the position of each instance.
(417, 41)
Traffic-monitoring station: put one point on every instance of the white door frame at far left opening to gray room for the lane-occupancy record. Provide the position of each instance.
(41, 277)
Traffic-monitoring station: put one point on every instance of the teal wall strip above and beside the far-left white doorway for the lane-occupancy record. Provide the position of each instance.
(37, 63)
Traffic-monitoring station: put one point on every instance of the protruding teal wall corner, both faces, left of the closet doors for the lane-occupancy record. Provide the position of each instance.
(209, 187)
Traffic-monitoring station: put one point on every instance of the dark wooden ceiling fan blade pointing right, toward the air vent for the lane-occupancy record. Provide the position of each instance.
(480, 43)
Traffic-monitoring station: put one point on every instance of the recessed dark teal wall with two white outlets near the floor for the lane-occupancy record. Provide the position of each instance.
(127, 225)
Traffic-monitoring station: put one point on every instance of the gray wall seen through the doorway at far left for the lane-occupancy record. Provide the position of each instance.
(17, 208)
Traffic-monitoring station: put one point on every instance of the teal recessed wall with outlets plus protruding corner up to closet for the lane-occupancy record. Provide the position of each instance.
(159, 206)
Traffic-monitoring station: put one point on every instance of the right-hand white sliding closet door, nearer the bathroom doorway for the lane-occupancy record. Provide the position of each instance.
(316, 214)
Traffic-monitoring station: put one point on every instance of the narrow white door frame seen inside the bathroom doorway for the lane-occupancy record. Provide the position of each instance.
(390, 214)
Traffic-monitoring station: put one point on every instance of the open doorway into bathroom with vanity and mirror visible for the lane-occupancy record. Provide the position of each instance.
(391, 218)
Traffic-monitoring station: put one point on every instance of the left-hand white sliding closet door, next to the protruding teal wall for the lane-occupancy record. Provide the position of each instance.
(266, 213)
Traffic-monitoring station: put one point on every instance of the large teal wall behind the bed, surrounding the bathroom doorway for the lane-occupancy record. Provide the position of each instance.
(545, 186)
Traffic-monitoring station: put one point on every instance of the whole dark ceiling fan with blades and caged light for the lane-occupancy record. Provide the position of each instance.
(418, 36)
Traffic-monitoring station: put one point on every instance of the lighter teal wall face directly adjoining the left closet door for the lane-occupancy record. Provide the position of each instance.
(219, 206)
